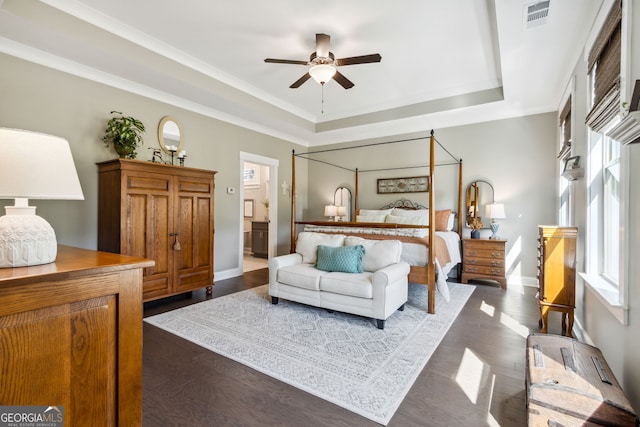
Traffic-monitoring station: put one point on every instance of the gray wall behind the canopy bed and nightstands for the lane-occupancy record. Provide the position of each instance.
(517, 156)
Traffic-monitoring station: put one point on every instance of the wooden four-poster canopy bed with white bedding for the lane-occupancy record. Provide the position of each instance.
(407, 221)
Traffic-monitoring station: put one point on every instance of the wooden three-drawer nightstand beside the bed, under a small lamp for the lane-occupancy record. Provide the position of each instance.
(484, 259)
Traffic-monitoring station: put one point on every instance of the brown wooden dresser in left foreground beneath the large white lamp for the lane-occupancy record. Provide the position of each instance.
(71, 336)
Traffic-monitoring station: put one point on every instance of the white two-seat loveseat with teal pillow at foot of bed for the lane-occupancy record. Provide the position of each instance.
(308, 277)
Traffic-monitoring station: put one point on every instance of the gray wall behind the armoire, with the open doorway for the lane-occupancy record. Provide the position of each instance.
(40, 99)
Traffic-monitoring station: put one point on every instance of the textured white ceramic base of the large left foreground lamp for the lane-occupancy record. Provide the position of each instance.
(25, 238)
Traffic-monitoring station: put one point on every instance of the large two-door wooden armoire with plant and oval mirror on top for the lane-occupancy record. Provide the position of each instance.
(160, 212)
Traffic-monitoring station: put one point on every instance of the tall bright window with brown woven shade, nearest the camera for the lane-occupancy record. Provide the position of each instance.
(605, 219)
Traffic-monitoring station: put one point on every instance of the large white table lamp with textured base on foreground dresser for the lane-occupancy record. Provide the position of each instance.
(32, 166)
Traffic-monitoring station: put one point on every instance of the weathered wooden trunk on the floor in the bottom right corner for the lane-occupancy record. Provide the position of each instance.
(569, 383)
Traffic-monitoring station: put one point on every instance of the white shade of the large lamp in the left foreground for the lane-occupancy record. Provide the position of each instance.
(37, 166)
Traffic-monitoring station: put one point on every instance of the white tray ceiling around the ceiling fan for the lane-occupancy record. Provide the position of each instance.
(444, 63)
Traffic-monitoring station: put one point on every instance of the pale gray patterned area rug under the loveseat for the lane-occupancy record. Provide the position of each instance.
(338, 357)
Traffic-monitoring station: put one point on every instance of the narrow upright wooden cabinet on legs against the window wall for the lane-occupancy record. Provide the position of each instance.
(557, 274)
